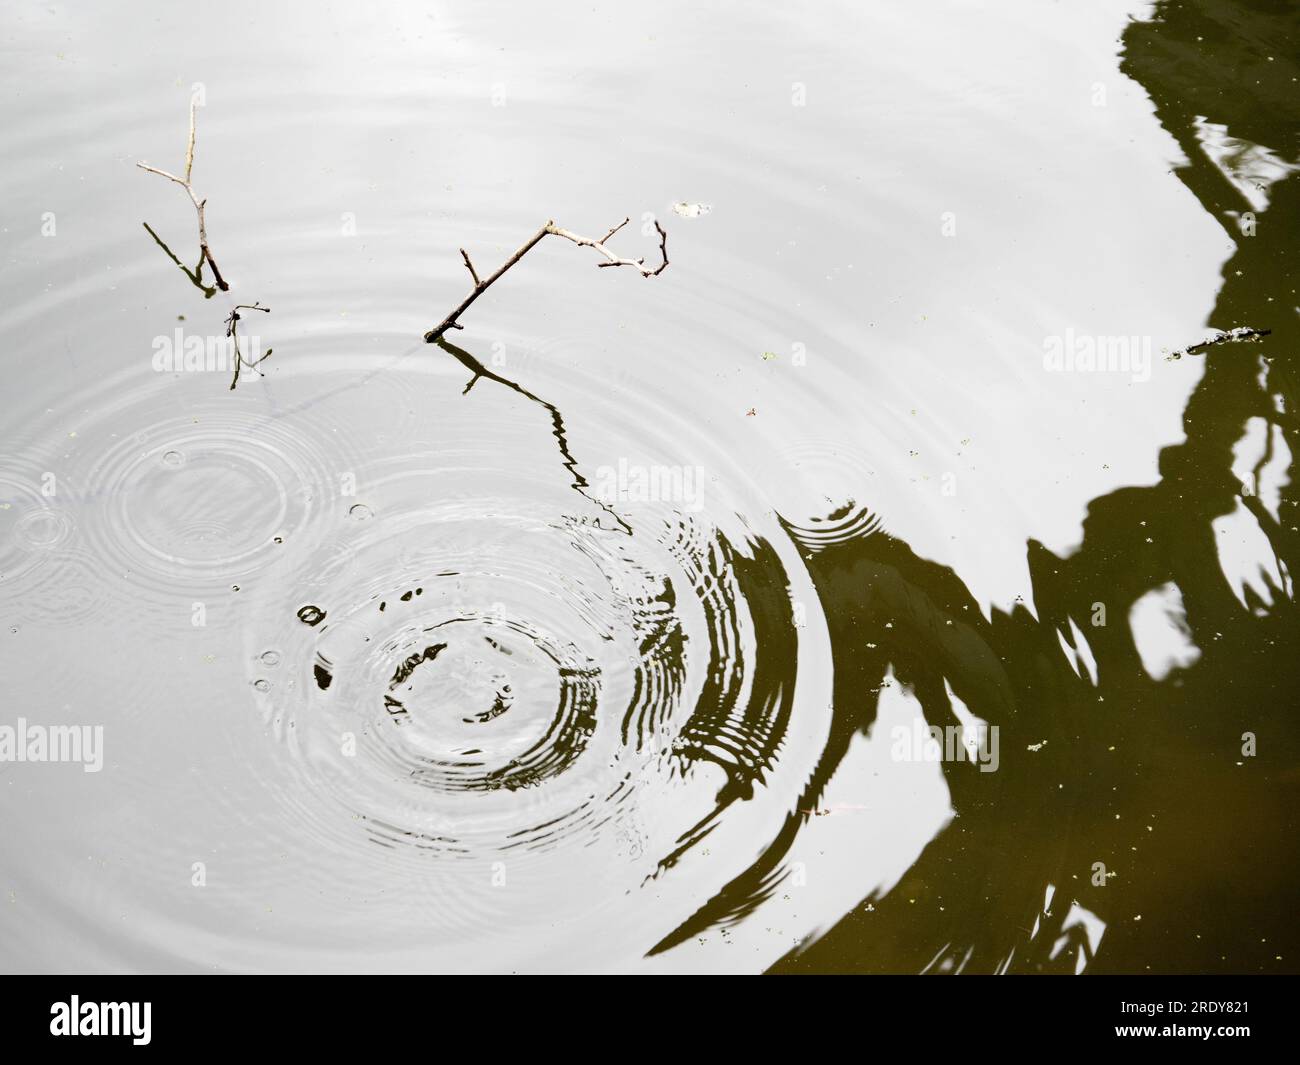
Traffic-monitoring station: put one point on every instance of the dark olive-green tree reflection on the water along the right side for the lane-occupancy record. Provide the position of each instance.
(1139, 776)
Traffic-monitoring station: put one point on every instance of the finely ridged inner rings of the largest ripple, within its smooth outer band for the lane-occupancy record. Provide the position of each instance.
(471, 657)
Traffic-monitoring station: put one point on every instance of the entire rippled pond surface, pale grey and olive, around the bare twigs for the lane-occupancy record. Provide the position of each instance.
(626, 659)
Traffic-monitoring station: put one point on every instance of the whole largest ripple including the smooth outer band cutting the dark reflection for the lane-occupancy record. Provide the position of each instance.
(493, 668)
